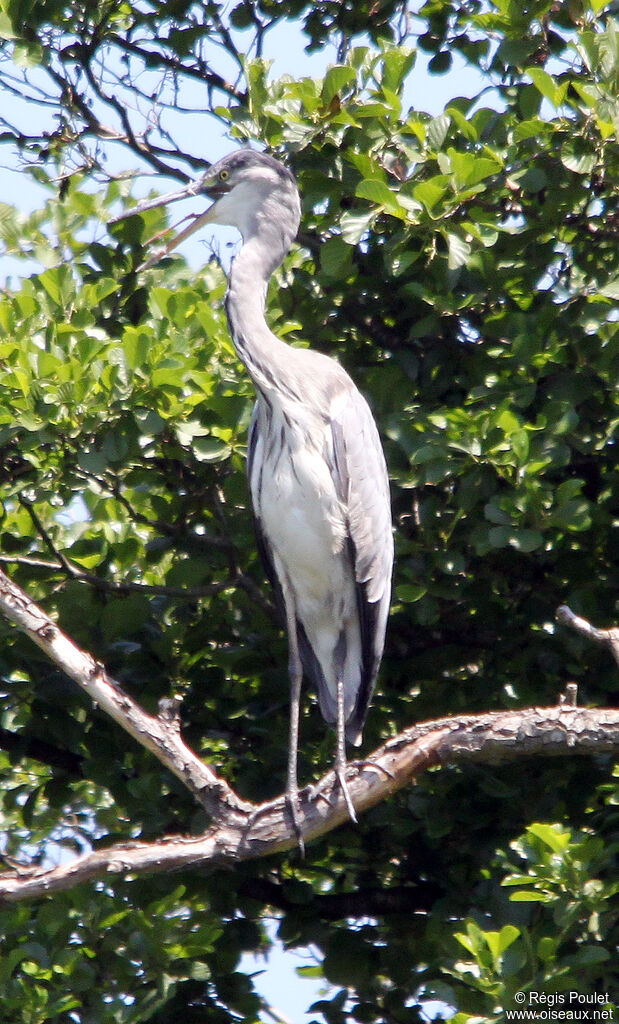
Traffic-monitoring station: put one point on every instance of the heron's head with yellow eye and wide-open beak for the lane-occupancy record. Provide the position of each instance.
(250, 191)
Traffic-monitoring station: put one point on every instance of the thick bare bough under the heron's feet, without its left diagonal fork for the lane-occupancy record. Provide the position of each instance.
(266, 830)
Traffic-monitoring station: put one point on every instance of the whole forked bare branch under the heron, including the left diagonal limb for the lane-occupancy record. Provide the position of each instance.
(242, 831)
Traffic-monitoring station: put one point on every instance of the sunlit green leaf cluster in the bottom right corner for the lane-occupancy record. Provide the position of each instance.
(562, 942)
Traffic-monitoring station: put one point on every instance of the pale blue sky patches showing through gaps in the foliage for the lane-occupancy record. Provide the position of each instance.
(276, 979)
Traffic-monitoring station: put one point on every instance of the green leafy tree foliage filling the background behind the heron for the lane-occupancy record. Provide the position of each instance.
(464, 268)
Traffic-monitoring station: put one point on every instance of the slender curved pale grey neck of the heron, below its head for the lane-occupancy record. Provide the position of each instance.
(264, 355)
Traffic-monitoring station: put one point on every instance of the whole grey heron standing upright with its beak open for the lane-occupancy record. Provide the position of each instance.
(316, 467)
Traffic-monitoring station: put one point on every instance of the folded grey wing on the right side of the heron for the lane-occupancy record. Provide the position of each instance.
(362, 481)
